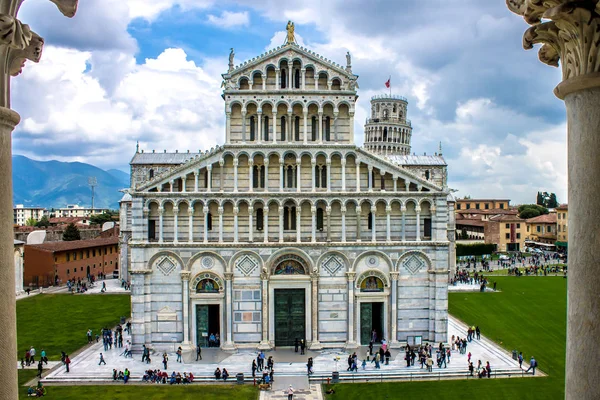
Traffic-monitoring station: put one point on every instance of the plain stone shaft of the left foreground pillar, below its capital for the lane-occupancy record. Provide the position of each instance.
(8, 340)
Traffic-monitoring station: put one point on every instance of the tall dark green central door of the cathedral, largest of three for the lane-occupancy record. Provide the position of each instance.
(290, 316)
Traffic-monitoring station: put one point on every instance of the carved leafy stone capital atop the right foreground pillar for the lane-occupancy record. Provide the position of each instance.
(569, 31)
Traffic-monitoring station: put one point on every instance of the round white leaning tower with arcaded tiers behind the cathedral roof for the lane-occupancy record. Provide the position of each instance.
(388, 131)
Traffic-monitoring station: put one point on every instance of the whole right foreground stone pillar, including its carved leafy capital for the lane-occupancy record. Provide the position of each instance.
(570, 34)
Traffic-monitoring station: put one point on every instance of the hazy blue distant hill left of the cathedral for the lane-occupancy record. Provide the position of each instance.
(54, 184)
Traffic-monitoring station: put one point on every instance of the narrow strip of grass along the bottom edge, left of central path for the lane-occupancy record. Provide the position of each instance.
(150, 392)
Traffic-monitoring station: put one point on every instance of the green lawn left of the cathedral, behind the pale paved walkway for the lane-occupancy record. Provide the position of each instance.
(59, 322)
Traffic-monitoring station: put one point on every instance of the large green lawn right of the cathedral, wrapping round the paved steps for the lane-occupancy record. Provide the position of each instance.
(529, 314)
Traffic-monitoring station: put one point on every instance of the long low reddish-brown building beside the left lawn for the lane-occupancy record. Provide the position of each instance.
(78, 259)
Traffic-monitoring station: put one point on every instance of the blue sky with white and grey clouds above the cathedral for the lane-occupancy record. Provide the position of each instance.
(123, 71)
